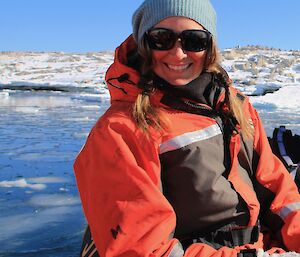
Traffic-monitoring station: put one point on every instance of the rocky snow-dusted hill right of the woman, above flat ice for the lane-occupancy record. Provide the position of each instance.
(258, 70)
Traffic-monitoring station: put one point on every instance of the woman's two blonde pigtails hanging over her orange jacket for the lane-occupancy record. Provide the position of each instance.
(146, 115)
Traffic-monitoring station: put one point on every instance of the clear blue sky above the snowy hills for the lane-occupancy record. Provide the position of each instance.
(97, 25)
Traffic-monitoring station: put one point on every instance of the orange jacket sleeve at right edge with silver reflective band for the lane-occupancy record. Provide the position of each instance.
(272, 174)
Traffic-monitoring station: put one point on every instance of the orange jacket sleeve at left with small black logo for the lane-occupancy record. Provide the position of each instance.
(118, 176)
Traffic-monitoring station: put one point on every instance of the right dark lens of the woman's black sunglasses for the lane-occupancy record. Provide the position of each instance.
(195, 40)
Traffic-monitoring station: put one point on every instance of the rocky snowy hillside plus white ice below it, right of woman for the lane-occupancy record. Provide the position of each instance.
(271, 77)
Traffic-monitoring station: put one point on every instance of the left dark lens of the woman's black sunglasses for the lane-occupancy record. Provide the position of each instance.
(161, 39)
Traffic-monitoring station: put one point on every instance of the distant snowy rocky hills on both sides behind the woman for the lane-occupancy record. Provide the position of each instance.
(255, 70)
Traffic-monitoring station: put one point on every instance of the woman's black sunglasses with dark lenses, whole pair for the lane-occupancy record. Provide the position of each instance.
(192, 40)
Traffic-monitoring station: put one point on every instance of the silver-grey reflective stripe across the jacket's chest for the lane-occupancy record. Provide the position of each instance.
(190, 137)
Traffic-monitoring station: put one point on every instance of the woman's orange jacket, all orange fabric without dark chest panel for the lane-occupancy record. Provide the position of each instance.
(118, 173)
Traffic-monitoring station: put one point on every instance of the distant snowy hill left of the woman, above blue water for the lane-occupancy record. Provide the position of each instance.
(55, 71)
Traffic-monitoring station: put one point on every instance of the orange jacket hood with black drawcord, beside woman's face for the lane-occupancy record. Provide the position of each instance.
(120, 78)
